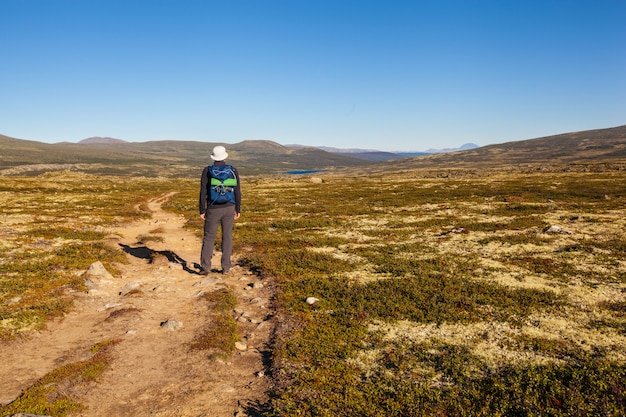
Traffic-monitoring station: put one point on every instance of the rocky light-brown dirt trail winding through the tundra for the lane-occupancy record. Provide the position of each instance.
(153, 371)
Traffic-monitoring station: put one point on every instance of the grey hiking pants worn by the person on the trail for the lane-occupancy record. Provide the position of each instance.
(218, 216)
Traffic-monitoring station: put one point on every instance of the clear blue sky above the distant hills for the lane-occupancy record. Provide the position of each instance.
(374, 74)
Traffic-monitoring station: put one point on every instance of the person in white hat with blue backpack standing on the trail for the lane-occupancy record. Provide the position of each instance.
(220, 205)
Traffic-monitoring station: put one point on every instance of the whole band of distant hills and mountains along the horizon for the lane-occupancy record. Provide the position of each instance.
(104, 155)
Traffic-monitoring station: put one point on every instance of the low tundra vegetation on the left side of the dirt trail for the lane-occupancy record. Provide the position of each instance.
(52, 228)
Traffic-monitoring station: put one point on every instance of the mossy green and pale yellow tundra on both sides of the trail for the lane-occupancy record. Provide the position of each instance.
(490, 294)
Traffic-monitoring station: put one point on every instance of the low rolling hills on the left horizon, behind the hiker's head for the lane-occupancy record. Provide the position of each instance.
(159, 158)
